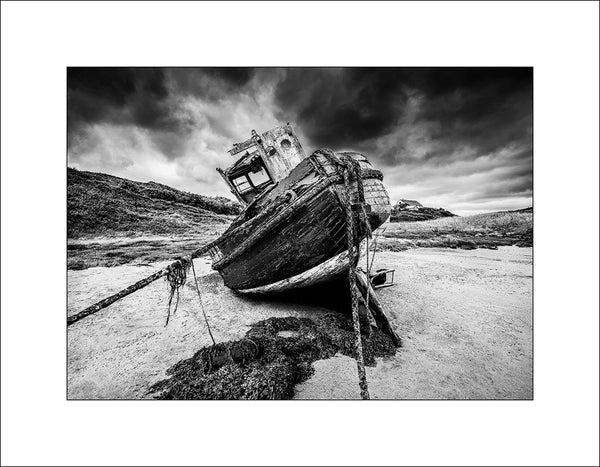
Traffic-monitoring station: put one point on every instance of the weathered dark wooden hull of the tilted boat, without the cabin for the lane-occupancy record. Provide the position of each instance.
(296, 236)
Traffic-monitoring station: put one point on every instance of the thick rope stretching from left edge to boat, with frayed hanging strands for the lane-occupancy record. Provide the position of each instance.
(173, 270)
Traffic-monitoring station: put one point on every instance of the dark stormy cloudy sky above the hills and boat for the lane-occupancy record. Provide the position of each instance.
(454, 138)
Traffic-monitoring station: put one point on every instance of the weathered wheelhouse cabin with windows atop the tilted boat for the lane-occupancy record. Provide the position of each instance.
(262, 161)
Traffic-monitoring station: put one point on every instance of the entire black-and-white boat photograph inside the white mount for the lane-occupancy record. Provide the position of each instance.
(300, 233)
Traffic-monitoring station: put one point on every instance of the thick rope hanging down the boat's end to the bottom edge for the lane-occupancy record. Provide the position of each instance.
(349, 164)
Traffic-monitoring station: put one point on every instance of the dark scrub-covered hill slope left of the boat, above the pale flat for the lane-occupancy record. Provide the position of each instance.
(104, 205)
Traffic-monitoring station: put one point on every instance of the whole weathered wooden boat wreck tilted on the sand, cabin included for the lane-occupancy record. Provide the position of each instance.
(293, 231)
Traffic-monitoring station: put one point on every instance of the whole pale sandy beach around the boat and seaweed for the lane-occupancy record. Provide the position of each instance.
(465, 318)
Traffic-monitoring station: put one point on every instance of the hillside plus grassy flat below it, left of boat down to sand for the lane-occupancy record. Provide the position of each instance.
(113, 221)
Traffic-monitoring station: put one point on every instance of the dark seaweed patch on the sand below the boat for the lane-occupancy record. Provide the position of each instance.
(275, 355)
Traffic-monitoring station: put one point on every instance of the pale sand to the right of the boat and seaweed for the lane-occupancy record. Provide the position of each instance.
(465, 318)
